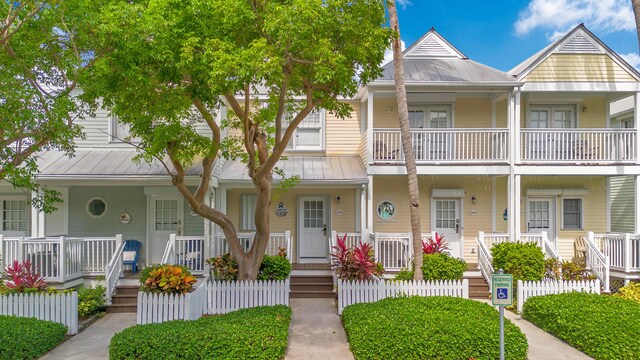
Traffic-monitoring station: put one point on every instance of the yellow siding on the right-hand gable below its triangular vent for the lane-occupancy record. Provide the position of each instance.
(579, 67)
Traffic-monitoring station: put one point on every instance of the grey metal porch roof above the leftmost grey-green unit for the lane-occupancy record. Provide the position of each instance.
(101, 163)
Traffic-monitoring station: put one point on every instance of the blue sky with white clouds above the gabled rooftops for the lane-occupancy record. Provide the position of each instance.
(503, 33)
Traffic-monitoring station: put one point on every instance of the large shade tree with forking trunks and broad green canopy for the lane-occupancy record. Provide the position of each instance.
(172, 65)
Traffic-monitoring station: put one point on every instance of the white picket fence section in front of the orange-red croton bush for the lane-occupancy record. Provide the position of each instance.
(157, 308)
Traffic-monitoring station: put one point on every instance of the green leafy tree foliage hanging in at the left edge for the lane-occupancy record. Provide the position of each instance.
(41, 57)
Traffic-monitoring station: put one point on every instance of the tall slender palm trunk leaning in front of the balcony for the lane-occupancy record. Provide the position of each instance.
(407, 148)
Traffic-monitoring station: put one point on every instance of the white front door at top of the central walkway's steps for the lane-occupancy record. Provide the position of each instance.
(312, 225)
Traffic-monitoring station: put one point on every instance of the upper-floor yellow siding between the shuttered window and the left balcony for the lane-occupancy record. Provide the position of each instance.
(343, 135)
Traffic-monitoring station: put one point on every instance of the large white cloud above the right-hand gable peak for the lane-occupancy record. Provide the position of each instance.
(560, 16)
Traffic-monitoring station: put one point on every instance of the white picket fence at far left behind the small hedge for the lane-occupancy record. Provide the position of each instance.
(60, 308)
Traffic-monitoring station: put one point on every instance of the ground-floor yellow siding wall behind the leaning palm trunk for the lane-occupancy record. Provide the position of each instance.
(394, 189)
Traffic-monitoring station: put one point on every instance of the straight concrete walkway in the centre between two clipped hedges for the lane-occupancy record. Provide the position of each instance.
(316, 331)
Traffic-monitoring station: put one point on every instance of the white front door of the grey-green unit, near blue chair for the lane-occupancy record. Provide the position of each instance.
(167, 214)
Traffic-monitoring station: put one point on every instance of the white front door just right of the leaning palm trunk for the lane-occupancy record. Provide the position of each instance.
(446, 220)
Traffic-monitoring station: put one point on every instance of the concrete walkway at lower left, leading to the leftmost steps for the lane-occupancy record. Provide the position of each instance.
(93, 343)
